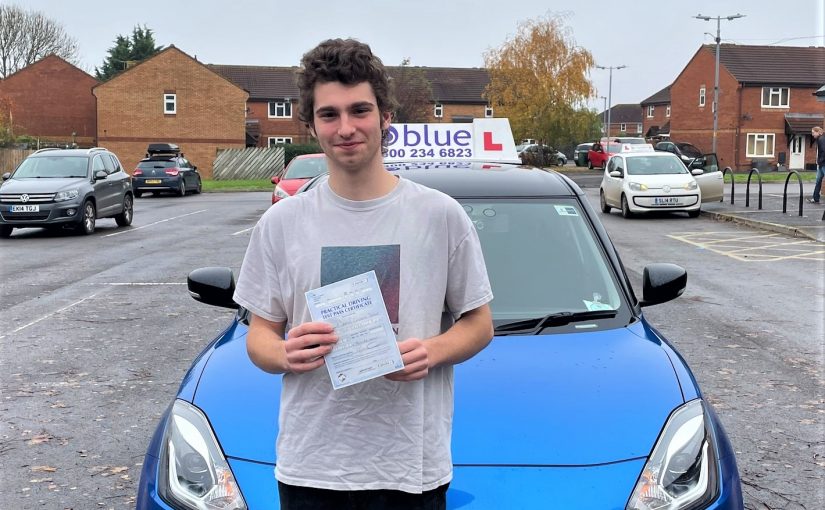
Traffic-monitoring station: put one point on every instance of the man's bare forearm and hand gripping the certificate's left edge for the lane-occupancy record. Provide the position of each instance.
(302, 351)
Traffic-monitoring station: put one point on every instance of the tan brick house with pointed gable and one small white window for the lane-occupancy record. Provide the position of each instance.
(170, 97)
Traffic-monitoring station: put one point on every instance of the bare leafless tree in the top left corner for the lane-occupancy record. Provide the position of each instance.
(28, 36)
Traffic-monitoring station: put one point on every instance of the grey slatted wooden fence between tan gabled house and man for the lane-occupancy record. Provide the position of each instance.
(249, 163)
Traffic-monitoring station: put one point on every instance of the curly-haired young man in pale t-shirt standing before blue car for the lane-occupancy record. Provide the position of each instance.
(383, 443)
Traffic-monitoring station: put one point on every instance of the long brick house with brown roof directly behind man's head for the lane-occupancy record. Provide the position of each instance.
(272, 109)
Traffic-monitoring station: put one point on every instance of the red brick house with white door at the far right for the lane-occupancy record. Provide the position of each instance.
(767, 104)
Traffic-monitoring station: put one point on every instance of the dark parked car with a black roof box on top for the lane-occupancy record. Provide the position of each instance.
(165, 169)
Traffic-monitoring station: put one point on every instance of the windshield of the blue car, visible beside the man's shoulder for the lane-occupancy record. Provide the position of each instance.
(561, 267)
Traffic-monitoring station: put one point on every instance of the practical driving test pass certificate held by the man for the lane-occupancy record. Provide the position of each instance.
(366, 346)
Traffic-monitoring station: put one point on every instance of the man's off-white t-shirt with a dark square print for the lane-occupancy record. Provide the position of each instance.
(378, 434)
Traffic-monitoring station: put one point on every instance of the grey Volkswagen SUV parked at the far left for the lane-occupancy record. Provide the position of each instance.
(69, 188)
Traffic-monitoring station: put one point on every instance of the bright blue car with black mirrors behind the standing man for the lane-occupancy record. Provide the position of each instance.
(578, 402)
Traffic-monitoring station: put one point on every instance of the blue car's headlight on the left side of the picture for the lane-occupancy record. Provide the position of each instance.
(193, 472)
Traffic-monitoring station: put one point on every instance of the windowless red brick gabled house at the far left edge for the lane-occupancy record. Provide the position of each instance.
(52, 100)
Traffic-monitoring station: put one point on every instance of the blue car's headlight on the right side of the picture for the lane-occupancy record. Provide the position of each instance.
(681, 473)
